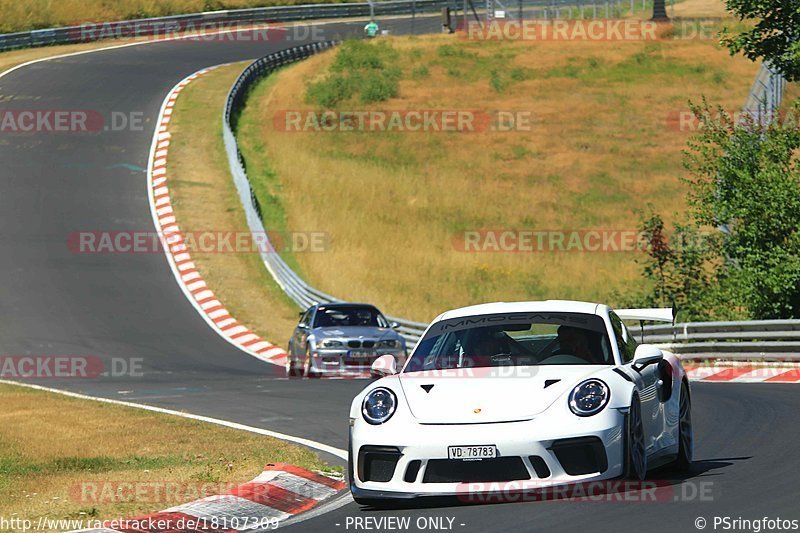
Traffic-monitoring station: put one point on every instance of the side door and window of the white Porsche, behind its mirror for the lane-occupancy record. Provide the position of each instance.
(652, 414)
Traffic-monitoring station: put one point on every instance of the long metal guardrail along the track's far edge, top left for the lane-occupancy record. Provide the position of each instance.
(198, 22)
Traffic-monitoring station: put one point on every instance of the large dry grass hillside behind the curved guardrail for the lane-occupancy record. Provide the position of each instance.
(392, 203)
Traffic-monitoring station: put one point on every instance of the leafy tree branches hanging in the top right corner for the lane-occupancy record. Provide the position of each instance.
(775, 36)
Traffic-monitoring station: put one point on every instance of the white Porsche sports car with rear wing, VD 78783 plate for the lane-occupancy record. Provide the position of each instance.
(543, 393)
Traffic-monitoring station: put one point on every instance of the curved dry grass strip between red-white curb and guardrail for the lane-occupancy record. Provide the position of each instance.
(205, 199)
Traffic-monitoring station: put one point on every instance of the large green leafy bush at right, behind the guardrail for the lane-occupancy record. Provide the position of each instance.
(744, 189)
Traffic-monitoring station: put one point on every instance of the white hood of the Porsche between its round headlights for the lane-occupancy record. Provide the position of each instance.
(489, 394)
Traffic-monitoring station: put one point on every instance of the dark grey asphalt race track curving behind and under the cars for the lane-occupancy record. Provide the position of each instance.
(56, 302)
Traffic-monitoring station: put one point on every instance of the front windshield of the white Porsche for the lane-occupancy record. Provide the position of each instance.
(519, 339)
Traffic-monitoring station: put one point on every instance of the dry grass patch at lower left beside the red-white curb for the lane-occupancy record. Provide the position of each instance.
(51, 444)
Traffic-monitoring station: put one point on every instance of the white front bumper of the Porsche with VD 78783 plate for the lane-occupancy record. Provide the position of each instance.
(535, 454)
